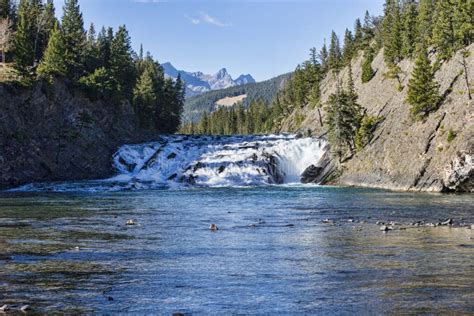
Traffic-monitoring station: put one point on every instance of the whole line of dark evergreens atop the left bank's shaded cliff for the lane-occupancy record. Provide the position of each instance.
(41, 47)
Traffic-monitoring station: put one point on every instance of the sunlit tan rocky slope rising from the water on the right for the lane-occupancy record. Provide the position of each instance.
(405, 154)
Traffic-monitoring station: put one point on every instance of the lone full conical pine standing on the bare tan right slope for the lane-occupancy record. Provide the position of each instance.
(423, 90)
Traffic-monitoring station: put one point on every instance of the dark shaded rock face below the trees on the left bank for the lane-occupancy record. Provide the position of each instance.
(50, 133)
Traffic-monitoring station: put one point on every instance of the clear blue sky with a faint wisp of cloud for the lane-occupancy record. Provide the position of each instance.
(262, 37)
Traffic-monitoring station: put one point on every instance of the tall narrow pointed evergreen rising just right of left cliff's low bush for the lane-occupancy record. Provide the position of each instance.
(122, 65)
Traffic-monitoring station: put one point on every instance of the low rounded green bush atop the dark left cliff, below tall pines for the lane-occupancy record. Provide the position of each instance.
(100, 83)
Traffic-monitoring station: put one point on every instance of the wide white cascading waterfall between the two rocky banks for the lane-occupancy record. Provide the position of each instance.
(207, 161)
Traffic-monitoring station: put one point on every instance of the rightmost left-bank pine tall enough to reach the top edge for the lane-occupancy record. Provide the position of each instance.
(75, 38)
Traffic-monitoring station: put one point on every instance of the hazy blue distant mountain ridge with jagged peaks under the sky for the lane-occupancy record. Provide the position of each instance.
(198, 83)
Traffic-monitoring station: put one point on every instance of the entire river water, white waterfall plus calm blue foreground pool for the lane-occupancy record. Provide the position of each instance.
(284, 249)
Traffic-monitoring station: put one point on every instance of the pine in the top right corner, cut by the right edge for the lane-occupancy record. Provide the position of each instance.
(463, 23)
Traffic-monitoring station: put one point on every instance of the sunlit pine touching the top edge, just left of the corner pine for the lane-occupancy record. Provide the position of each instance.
(444, 39)
